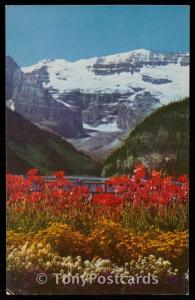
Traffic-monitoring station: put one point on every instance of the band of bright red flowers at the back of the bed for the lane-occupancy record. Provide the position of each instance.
(60, 194)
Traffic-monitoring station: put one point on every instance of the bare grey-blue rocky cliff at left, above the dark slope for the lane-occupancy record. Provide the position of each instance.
(35, 103)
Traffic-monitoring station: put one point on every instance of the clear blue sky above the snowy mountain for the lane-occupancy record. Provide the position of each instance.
(35, 32)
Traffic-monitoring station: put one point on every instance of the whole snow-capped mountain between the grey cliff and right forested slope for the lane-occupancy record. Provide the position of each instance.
(113, 92)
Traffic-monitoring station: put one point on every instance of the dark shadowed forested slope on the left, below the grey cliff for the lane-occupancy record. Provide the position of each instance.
(29, 146)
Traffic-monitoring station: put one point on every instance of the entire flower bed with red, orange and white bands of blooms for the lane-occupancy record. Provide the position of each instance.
(142, 228)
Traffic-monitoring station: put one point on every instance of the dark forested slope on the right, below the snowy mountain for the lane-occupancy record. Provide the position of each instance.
(160, 141)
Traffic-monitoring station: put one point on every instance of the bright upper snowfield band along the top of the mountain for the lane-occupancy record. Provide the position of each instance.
(120, 73)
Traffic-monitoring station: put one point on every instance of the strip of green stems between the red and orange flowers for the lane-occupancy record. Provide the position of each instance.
(137, 220)
